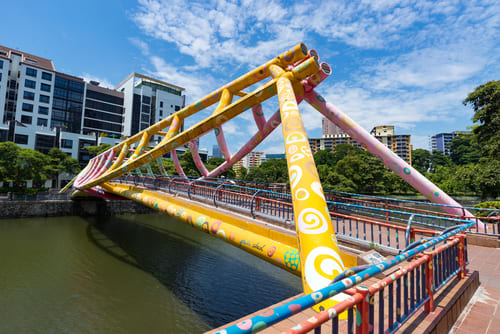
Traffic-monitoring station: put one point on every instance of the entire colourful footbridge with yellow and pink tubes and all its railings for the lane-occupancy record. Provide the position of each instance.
(259, 221)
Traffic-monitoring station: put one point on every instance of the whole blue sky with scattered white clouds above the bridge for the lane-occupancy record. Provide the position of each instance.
(407, 63)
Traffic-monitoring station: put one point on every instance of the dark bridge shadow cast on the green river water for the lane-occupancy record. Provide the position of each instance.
(214, 279)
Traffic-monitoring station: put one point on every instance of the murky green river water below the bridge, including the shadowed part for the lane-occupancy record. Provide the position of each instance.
(127, 274)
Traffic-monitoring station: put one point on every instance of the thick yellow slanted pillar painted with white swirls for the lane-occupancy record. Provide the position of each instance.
(320, 259)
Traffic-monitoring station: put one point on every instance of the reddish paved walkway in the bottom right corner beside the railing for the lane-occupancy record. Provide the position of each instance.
(482, 313)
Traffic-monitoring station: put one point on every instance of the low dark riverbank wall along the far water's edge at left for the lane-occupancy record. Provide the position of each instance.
(54, 208)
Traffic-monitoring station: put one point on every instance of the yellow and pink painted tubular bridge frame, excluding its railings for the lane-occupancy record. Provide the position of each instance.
(313, 253)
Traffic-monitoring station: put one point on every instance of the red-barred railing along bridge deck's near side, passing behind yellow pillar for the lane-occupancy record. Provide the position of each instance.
(379, 235)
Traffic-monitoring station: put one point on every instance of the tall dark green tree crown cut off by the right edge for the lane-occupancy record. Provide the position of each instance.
(485, 100)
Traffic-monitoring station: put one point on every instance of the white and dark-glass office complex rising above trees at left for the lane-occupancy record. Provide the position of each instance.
(41, 108)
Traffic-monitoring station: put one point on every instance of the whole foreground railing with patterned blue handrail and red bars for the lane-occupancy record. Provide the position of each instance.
(398, 296)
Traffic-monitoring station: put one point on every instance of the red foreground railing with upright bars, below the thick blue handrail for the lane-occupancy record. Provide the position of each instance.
(387, 304)
